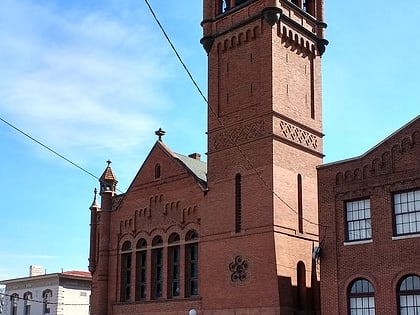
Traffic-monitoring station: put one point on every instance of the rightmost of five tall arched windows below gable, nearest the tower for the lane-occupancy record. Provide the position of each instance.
(191, 246)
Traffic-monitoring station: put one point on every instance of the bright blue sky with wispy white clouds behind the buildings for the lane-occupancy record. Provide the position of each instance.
(93, 80)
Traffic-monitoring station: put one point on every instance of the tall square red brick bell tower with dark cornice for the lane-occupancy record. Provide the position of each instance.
(264, 143)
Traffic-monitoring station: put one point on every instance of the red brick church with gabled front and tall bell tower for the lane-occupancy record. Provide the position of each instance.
(235, 235)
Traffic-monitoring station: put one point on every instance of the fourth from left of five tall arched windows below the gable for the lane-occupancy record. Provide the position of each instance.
(174, 265)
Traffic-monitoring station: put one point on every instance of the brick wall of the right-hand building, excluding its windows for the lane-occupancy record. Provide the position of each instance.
(392, 166)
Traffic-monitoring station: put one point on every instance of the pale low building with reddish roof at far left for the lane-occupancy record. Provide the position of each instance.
(65, 293)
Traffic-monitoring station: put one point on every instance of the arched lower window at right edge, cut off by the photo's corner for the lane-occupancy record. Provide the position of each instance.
(409, 293)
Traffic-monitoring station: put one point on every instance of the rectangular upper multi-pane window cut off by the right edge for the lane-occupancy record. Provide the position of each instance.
(407, 212)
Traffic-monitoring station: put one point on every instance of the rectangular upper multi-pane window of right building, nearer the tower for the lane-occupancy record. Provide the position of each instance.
(358, 220)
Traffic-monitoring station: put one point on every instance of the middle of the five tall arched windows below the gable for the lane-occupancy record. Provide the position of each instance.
(157, 267)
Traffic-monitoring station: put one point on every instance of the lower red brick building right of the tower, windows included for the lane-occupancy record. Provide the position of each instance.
(369, 212)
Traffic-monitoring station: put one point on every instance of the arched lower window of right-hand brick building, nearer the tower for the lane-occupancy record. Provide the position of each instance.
(361, 298)
